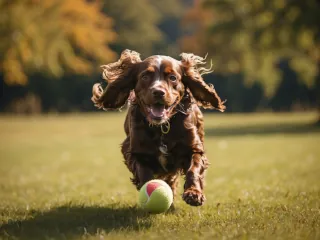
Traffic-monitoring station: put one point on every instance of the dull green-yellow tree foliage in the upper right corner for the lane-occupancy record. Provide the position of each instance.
(252, 36)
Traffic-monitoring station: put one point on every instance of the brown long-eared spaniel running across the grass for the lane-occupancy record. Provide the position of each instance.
(164, 124)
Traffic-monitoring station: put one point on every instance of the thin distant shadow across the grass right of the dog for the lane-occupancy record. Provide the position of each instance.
(264, 129)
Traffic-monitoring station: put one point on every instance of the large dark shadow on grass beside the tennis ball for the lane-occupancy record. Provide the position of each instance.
(68, 222)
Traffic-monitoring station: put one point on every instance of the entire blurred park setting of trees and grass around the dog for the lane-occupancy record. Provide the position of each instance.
(61, 171)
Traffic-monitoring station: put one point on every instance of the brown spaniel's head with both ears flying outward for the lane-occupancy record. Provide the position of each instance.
(159, 84)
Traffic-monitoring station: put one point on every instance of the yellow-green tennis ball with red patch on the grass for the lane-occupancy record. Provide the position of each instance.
(155, 196)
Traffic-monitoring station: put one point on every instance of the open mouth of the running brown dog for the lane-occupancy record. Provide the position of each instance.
(159, 113)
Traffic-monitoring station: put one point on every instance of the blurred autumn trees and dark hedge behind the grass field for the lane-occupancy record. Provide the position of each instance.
(265, 53)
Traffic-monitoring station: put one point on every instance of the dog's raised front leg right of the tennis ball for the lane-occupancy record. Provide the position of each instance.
(193, 187)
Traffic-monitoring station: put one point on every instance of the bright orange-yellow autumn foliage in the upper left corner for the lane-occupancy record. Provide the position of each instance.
(52, 37)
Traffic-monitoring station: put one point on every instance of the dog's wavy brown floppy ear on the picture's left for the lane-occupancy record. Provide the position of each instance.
(121, 78)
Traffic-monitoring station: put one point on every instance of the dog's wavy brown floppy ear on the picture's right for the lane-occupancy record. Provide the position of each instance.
(205, 95)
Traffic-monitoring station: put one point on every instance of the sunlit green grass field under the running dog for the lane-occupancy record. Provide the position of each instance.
(62, 177)
